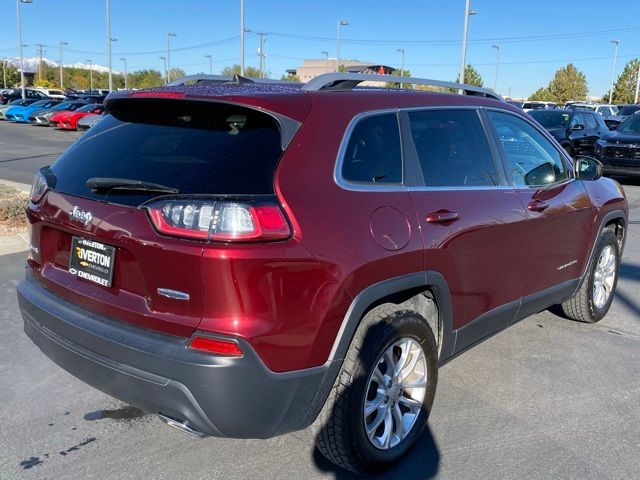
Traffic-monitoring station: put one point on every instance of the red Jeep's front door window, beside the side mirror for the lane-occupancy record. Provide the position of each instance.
(532, 158)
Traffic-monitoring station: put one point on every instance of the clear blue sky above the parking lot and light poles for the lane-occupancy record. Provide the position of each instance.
(579, 31)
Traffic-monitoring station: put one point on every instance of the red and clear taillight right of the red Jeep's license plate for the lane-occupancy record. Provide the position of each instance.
(220, 220)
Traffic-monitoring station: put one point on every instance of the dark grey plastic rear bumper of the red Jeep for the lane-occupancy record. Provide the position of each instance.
(214, 395)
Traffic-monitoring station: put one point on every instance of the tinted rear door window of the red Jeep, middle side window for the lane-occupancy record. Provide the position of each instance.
(452, 148)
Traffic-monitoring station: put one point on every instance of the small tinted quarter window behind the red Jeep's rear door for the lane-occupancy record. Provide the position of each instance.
(373, 154)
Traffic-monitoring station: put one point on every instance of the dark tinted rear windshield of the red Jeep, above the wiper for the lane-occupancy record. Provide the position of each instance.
(196, 148)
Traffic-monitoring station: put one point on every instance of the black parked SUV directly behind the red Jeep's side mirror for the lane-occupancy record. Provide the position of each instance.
(577, 130)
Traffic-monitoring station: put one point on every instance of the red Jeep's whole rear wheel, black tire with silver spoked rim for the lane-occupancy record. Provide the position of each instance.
(382, 397)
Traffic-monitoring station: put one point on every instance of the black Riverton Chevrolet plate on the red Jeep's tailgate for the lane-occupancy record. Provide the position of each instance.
(92, 261)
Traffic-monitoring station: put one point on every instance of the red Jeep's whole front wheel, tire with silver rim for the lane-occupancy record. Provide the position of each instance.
(593, 300)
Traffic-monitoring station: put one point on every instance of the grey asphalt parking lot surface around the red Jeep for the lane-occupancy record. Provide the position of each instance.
(547, 398)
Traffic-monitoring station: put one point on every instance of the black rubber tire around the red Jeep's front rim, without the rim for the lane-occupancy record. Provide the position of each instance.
(581, 306)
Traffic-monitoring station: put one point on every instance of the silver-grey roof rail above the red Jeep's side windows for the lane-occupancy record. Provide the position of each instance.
(347, 81)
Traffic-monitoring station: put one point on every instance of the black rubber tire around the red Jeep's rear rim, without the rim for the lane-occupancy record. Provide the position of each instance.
(339, 430)
